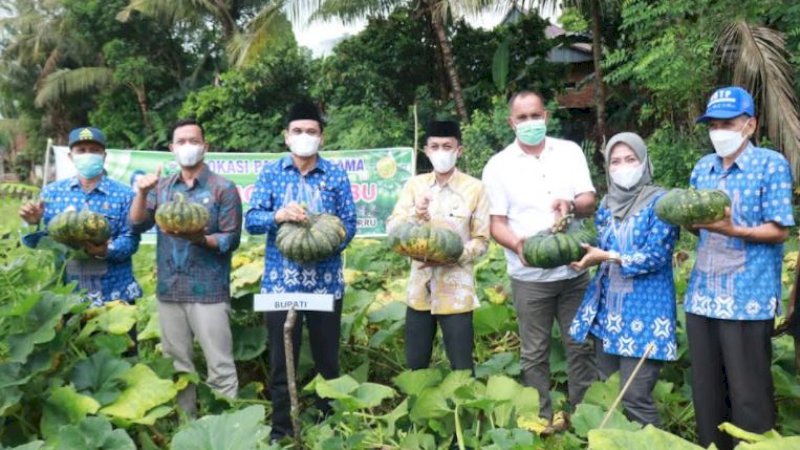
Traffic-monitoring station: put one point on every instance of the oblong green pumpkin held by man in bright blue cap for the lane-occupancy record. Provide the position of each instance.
(684, 207)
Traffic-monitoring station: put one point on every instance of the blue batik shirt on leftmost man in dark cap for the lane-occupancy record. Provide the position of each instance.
(109, 278)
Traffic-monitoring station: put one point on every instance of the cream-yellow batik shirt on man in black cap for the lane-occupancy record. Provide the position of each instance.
(461, 205)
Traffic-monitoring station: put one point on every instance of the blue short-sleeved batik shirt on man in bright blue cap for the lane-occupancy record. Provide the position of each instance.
(733, 278)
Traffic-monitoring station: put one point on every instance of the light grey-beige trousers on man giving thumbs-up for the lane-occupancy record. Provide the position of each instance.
(181, 323)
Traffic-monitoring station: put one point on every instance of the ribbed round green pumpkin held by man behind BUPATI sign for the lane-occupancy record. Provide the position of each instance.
(313, 240)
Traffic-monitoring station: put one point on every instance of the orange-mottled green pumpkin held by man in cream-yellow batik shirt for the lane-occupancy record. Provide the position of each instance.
(427, 243)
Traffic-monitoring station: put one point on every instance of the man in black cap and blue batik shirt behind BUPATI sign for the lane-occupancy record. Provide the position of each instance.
(281, 187)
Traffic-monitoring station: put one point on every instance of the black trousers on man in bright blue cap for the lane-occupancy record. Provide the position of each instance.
(731, 376)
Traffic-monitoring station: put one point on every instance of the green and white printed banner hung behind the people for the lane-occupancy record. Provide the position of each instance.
(376, 175)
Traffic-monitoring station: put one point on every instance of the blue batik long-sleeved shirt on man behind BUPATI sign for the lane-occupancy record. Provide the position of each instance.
(331, 187)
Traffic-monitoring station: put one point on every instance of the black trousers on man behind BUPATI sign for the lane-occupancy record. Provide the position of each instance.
(323, 333)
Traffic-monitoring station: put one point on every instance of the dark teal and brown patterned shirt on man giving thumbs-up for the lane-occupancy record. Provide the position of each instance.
(190, 272)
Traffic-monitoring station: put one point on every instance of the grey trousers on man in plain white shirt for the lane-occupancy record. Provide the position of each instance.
(538, 304)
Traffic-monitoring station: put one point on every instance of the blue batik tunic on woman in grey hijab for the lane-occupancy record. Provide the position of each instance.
(631, 305)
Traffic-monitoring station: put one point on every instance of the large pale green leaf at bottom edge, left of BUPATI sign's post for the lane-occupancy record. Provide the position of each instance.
(240, 430)
